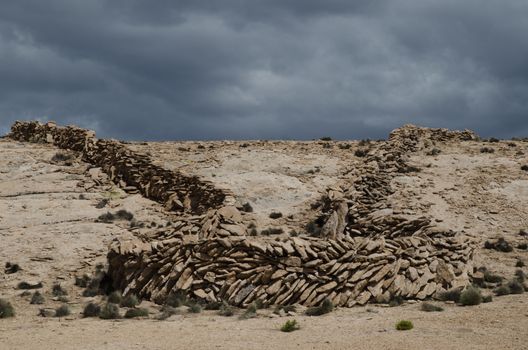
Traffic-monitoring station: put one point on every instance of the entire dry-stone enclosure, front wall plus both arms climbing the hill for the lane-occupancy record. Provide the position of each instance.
(360, 251)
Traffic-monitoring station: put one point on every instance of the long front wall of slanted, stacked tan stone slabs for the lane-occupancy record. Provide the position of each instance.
(241, 270)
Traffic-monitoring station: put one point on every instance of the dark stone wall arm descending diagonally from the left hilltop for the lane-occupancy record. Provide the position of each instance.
(130, 170)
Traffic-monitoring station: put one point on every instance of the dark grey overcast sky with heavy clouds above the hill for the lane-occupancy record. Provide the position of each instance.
(246, 69)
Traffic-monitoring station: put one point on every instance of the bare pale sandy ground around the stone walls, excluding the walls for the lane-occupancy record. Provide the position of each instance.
(47, 225)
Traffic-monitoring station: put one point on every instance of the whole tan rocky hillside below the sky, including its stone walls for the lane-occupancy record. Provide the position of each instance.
(373, 223)
